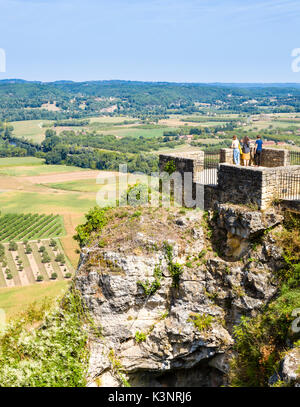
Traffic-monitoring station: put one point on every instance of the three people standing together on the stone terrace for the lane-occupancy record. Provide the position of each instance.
(243, 151)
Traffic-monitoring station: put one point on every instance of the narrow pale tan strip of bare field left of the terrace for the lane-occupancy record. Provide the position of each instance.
(70, 176)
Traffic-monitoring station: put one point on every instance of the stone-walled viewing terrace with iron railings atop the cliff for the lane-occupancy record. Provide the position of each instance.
(218, 180)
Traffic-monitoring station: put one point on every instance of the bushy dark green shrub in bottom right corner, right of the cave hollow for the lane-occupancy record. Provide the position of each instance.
(260, 342)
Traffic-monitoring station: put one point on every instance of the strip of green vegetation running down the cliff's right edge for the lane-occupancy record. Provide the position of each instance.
(260, 342)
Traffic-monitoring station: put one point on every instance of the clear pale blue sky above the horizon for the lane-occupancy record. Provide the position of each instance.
(155, 40)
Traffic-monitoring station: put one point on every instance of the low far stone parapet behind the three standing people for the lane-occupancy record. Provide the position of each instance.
(270, 157)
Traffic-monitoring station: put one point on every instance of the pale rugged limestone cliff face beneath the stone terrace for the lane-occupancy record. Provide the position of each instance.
(156, 330)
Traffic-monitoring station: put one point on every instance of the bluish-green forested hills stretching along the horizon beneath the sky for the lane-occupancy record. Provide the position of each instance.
(21, 100)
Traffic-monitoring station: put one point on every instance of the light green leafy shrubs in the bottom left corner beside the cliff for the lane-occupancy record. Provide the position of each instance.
(52, 355)
